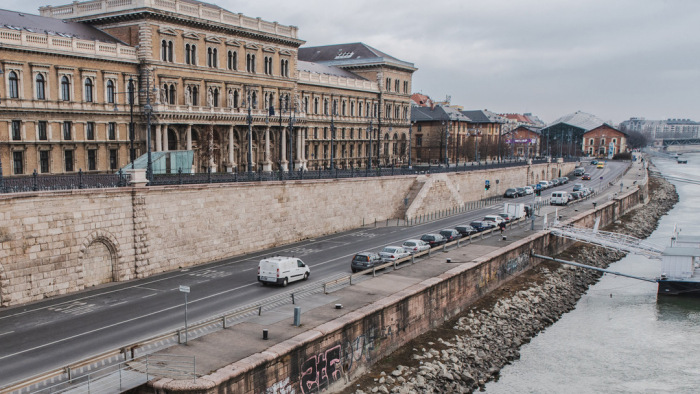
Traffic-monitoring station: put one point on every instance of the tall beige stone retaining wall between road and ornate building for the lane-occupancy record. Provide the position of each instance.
(54, 243)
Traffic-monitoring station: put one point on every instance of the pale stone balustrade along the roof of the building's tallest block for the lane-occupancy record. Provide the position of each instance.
(202, 10)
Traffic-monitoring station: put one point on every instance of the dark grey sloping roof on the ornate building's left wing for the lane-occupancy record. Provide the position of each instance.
(44, 25)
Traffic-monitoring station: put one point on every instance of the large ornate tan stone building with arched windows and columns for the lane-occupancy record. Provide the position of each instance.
(234, 90)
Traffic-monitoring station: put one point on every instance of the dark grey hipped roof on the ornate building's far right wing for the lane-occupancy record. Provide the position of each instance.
(349, 54)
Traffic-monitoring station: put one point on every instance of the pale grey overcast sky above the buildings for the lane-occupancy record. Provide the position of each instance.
(612, 58)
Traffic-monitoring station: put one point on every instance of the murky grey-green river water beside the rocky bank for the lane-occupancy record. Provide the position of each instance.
(621, 338)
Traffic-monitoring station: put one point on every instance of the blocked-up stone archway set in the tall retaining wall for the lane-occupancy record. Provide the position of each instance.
(99, 259)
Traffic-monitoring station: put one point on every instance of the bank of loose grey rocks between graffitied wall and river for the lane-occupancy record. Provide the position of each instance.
(463, 356)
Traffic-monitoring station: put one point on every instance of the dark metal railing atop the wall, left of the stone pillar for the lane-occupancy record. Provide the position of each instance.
(37, 182)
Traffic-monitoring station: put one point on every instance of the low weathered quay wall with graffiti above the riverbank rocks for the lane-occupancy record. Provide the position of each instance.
(337, 352)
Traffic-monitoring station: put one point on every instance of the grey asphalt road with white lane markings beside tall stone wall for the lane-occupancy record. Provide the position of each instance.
(60, 331)
